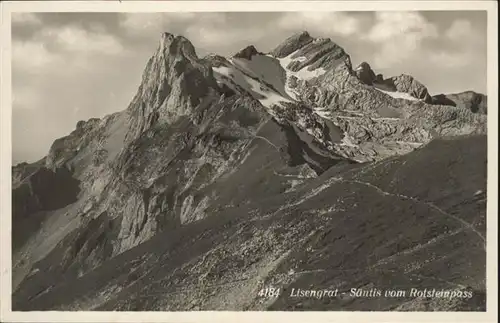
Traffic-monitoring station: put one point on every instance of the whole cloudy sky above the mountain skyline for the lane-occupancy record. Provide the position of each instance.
(68, 67)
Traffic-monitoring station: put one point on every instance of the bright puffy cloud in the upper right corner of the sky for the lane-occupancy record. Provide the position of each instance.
(409, 38)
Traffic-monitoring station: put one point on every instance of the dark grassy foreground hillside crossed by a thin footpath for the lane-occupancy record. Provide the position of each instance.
(416, 221)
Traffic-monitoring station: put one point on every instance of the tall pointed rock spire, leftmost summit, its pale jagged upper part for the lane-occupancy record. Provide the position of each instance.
(174, 82)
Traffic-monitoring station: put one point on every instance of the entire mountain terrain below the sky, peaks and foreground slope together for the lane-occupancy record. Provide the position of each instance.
(249, 166)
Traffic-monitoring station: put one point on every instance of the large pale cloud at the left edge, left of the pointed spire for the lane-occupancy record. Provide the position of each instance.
(54, 57)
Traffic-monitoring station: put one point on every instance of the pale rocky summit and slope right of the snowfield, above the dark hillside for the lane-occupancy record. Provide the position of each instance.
(376, 121)
